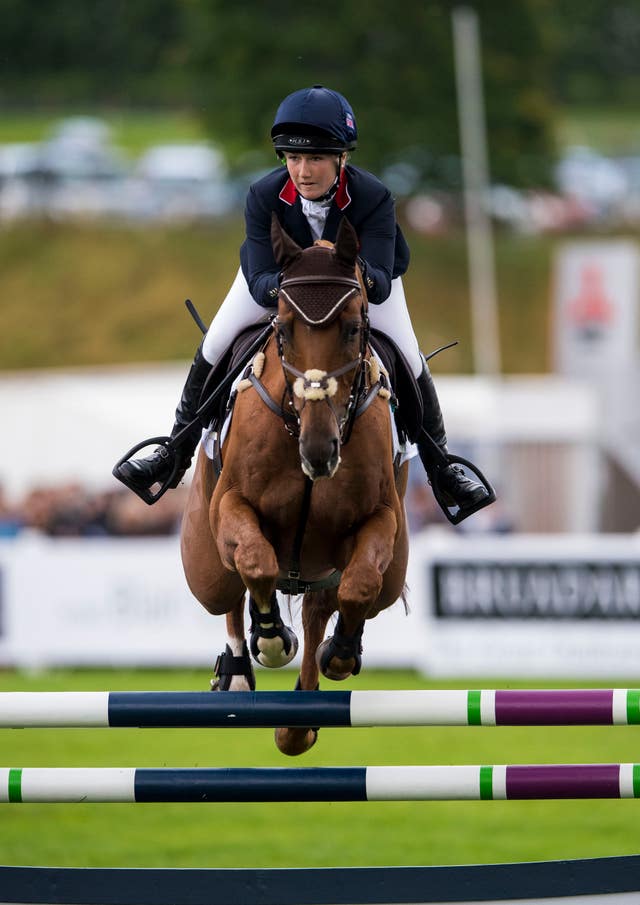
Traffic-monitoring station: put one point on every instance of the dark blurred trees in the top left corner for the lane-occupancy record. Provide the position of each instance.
(65, 51)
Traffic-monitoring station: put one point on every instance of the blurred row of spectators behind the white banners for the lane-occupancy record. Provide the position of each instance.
(74, 510)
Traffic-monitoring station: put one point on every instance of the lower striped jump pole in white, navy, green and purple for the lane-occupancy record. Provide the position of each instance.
(330, 784)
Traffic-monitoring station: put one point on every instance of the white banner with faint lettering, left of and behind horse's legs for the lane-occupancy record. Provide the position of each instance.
(117, 602)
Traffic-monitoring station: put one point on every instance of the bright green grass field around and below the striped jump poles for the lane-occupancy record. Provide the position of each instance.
(307, 834)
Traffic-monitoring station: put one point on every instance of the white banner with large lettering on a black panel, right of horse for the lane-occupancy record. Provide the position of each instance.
(529, 605)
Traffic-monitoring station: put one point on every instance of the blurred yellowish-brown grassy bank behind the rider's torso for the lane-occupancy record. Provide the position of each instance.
(94, 295)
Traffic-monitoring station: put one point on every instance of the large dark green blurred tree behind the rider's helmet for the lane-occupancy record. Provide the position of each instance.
(394, 63)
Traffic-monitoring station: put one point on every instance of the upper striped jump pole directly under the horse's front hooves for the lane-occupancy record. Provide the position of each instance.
(185, 709)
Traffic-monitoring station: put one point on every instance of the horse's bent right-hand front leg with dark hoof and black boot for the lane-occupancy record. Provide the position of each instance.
(358, 595)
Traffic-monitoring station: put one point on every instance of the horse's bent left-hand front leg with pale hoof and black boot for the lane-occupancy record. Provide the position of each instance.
(244, 548)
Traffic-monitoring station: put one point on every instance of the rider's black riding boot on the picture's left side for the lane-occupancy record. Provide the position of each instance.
(142, 473)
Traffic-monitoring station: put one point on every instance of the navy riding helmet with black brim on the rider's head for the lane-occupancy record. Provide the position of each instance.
(314, 119)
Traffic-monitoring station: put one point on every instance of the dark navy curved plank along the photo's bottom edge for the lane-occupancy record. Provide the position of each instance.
(538, 881)
